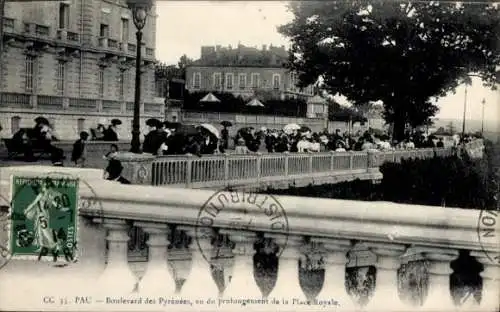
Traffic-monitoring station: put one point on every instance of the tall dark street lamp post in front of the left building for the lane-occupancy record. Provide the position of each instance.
(139, 10)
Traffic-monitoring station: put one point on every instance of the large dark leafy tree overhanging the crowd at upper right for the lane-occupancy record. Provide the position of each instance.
(401, 54)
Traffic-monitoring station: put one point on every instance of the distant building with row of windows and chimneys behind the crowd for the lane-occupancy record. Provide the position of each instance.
(246, 71)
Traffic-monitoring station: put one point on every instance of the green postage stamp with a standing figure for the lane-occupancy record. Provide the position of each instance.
(44, 218)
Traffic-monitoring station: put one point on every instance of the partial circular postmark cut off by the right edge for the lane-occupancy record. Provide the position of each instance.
(488, 230)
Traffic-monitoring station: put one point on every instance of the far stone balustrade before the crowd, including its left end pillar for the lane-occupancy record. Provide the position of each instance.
(255, 171)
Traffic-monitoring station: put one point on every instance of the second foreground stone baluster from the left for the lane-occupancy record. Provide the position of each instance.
(157, 278)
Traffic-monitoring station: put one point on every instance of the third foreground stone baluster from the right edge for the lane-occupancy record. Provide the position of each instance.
(386, 283)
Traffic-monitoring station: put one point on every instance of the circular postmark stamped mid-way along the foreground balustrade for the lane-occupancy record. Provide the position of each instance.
(248, 212)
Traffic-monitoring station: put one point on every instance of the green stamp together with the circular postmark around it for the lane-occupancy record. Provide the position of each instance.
(42, 219)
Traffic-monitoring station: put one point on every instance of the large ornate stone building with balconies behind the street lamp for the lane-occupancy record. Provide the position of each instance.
(74, 63)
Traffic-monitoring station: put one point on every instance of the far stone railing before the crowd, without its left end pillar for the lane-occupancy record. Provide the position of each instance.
(232, 170)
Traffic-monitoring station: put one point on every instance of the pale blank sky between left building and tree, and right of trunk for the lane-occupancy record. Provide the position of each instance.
(184, 26)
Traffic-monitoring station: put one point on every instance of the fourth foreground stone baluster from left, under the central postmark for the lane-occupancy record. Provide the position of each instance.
(242, 281)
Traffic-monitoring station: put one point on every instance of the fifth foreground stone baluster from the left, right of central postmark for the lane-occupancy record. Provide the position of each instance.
(287, 283)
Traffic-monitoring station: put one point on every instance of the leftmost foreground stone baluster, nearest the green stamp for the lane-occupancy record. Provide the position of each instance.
(117, 277)
